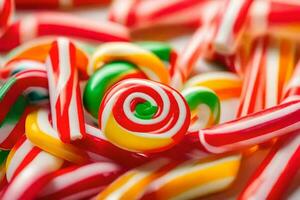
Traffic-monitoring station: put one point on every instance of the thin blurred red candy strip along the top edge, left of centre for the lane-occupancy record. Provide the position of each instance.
(58, 4)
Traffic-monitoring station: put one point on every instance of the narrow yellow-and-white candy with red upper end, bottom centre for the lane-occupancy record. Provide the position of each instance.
(133, 183)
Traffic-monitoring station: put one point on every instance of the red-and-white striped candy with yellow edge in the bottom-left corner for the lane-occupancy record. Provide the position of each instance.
(27, 160)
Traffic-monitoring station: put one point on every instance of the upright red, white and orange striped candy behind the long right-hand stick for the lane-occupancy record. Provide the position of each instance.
(269, 70)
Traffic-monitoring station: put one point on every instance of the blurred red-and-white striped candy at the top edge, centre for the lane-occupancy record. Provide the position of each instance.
(137, 14)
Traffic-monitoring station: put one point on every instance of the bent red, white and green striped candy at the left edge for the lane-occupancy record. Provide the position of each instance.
(13, 112)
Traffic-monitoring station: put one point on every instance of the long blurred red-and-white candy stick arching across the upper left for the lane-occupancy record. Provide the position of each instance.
(55, 23)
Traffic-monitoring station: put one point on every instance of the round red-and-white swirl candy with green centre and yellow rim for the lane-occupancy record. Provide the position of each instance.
(151, 116)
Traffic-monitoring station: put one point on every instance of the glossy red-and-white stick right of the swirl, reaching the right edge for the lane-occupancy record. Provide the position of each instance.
(251, 130)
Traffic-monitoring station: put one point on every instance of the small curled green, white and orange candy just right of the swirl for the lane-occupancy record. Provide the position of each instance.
(204, 106)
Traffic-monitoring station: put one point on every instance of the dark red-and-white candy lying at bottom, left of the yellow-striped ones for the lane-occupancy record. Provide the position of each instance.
(78, 182)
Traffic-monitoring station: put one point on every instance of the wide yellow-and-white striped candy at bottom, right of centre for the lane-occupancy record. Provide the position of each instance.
(193, 179)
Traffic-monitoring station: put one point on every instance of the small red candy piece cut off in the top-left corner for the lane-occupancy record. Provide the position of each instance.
(6, 12)
